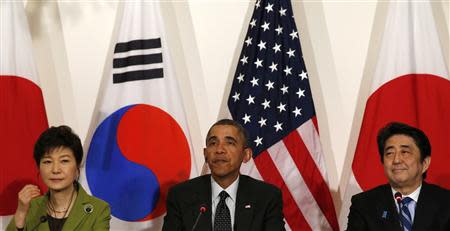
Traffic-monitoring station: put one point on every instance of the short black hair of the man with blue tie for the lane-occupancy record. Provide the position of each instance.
(397, 128)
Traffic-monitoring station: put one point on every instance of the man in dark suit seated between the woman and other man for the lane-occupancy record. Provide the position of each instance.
(225, 199)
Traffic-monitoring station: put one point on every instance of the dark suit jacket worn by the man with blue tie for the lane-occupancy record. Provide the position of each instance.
(375, 210)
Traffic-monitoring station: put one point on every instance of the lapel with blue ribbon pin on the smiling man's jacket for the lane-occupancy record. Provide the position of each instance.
(387, 210)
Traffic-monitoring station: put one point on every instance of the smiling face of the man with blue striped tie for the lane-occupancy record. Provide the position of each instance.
(402, 163)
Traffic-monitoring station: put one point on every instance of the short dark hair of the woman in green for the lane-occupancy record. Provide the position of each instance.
(56, 137)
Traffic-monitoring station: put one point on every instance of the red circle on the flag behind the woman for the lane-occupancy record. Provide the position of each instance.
(22, 120)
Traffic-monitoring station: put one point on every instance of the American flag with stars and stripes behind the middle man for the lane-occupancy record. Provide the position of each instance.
(271, 97)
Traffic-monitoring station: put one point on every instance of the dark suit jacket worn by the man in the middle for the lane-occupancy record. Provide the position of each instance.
(258, 206)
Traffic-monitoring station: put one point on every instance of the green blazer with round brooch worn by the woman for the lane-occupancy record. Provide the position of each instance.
(88, 213)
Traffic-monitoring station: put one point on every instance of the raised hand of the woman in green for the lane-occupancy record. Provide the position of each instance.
(28, 193)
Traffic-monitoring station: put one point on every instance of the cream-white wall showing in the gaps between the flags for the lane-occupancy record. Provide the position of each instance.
(71, 40)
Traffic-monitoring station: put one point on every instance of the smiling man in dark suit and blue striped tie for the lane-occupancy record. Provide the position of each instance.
(407, 203)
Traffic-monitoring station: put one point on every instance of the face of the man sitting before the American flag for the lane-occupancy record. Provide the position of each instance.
(225, 152)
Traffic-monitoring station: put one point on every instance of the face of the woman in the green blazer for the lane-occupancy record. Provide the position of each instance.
(59, 169)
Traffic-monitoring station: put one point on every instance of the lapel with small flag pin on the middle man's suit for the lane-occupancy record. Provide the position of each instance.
(243, 215)
